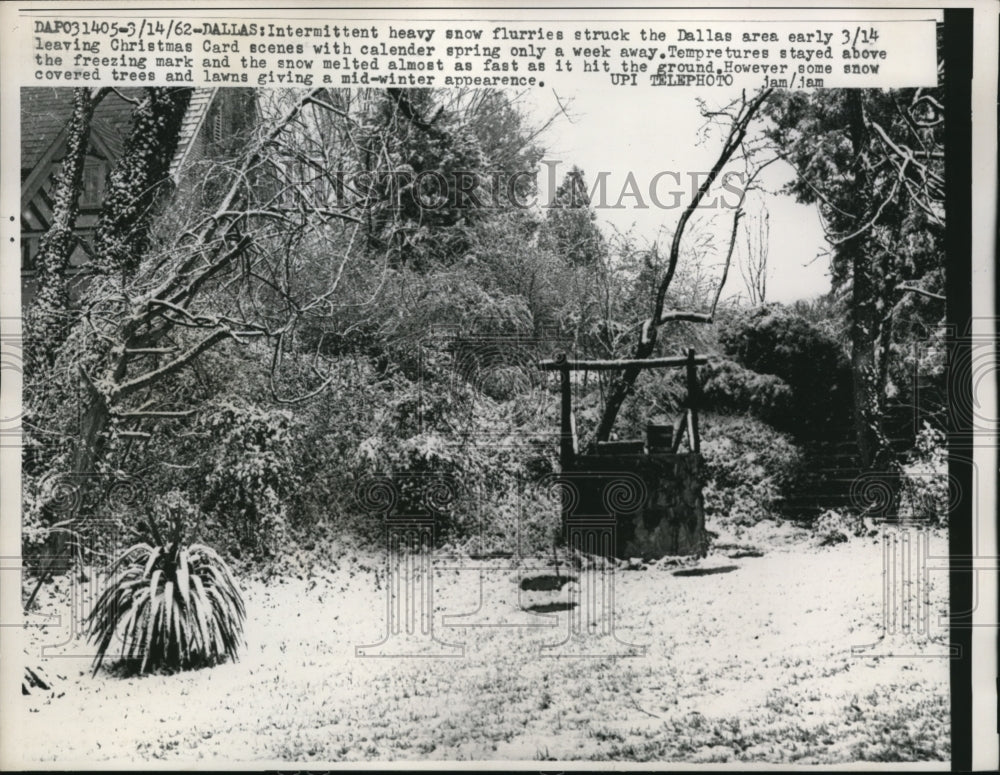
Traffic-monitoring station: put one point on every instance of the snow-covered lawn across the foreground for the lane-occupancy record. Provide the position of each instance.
(745, 658)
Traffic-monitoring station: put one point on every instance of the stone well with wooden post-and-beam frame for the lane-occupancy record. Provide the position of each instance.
(638, 498)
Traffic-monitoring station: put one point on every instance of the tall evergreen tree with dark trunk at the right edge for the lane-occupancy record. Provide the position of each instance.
(872, 161)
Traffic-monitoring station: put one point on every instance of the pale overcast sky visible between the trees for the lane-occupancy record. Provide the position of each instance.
(619, 130)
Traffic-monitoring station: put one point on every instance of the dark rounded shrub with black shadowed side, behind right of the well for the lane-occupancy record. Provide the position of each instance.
(772, 340)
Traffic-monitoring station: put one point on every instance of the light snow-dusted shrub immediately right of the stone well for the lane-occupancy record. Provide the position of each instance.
(750, 468)
